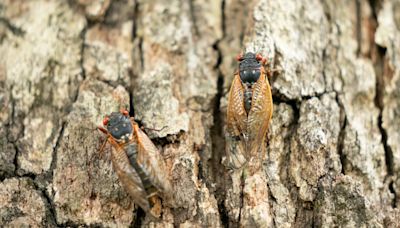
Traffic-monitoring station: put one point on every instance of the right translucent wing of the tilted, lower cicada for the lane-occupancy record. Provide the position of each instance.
(150, 159)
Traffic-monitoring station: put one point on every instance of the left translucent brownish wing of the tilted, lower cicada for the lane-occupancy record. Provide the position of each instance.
(129, 178)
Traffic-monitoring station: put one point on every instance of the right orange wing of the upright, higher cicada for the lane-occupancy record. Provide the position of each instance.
(259, 116)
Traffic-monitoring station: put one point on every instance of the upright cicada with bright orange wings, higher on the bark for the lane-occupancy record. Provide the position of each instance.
(249, 111)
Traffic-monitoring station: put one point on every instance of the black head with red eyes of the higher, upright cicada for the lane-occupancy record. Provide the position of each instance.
(250, 67)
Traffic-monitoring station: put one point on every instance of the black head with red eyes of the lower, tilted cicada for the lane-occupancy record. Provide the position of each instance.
(119, 126)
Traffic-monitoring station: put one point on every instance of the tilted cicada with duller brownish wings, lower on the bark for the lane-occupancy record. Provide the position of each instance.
(137, 162)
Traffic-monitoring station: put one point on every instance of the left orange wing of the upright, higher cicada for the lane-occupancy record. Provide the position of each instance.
(236, 126)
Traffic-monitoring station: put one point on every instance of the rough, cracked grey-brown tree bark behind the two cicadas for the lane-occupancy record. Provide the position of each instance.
(333, 153)
